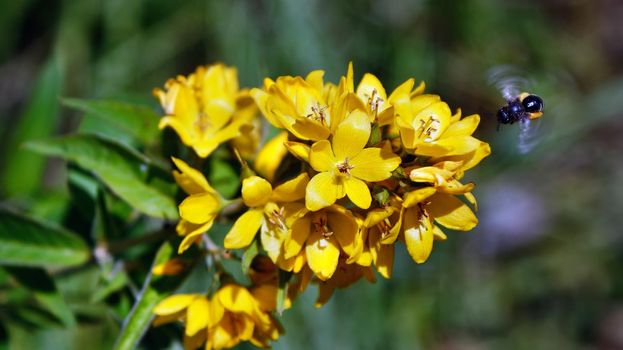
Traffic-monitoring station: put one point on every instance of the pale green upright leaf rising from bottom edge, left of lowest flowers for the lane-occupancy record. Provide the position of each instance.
(155, 289)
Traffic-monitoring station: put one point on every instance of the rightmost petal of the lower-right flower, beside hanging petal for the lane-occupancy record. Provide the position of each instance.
(451, 212)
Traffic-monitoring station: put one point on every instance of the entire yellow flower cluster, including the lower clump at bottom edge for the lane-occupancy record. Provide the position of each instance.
(352, 172)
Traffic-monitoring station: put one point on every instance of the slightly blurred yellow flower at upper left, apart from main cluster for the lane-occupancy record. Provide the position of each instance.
(205, 109)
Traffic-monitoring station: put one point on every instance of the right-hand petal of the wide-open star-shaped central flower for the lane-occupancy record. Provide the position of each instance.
(374, 164)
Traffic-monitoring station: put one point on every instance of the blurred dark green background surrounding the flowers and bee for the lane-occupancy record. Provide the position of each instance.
(541, 271)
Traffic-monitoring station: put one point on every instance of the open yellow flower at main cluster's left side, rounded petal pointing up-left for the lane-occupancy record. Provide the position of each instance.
(267, 208)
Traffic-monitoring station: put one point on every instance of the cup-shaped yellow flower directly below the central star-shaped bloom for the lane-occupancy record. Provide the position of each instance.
(322, 236)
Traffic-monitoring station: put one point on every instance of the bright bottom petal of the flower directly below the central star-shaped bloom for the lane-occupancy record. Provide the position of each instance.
(322, 255)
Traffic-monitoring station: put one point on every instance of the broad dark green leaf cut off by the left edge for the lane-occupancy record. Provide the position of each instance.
(27, 242)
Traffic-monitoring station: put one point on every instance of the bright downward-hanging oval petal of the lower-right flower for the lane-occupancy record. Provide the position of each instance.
(418, 236)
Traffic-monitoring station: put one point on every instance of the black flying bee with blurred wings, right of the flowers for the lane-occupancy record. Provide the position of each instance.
(521, 107)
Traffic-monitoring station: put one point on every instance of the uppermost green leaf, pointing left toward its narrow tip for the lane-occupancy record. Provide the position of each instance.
(141, 122)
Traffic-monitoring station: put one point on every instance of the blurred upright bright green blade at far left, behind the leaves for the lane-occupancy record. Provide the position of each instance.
(24, 169)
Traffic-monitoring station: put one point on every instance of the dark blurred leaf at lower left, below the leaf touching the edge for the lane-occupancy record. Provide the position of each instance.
(37, 281)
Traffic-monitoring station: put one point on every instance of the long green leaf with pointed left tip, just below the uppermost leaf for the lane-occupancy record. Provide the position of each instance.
(122, 169)
